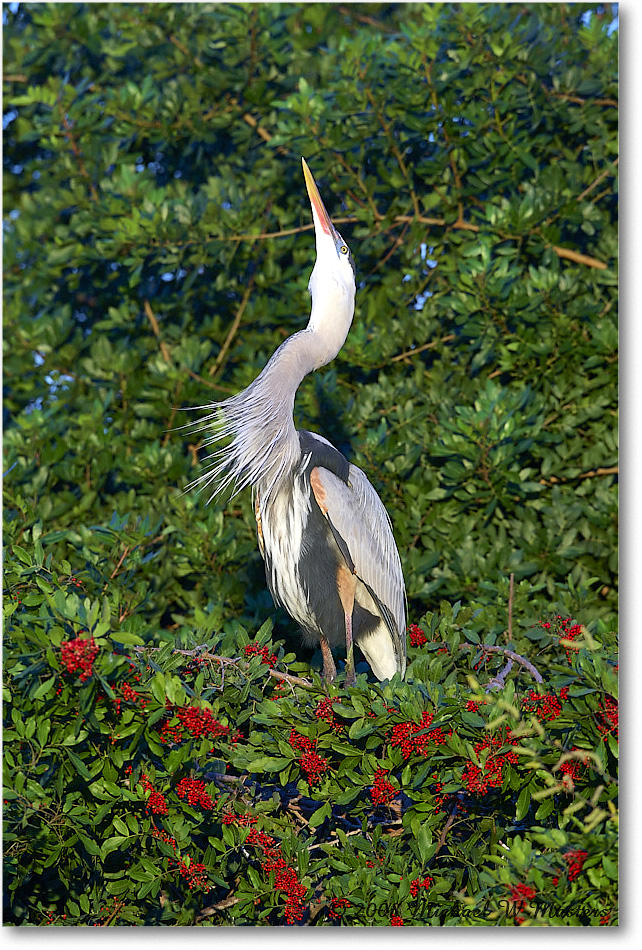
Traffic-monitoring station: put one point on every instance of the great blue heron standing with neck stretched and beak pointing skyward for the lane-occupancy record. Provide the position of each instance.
(330, 556)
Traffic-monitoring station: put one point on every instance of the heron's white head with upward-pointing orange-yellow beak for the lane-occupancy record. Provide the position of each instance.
(333, 272)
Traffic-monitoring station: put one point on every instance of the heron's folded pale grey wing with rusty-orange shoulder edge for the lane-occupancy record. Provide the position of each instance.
(362, 529)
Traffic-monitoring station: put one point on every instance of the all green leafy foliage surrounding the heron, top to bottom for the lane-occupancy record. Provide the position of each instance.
(157, 250)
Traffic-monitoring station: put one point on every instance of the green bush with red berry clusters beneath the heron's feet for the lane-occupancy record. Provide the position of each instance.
(214, 780)
